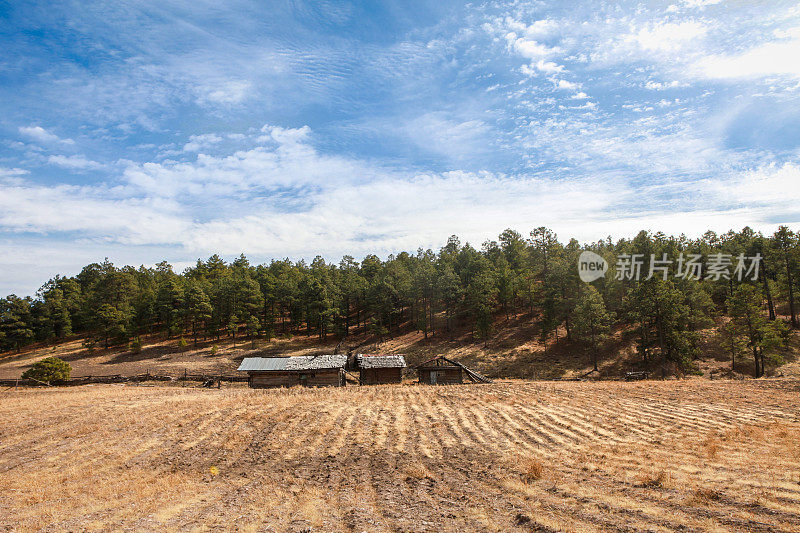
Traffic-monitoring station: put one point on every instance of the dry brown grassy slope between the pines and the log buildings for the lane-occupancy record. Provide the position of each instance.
(513, 351)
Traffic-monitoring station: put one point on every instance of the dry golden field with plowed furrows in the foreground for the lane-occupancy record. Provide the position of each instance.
(659, 456)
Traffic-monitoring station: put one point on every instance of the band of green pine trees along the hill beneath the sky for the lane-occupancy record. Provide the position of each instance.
(435, 292)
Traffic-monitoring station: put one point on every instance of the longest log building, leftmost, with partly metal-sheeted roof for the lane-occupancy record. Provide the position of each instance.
(307, 370)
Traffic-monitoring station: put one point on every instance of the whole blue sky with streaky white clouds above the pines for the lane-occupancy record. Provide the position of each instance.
(143, 131)
